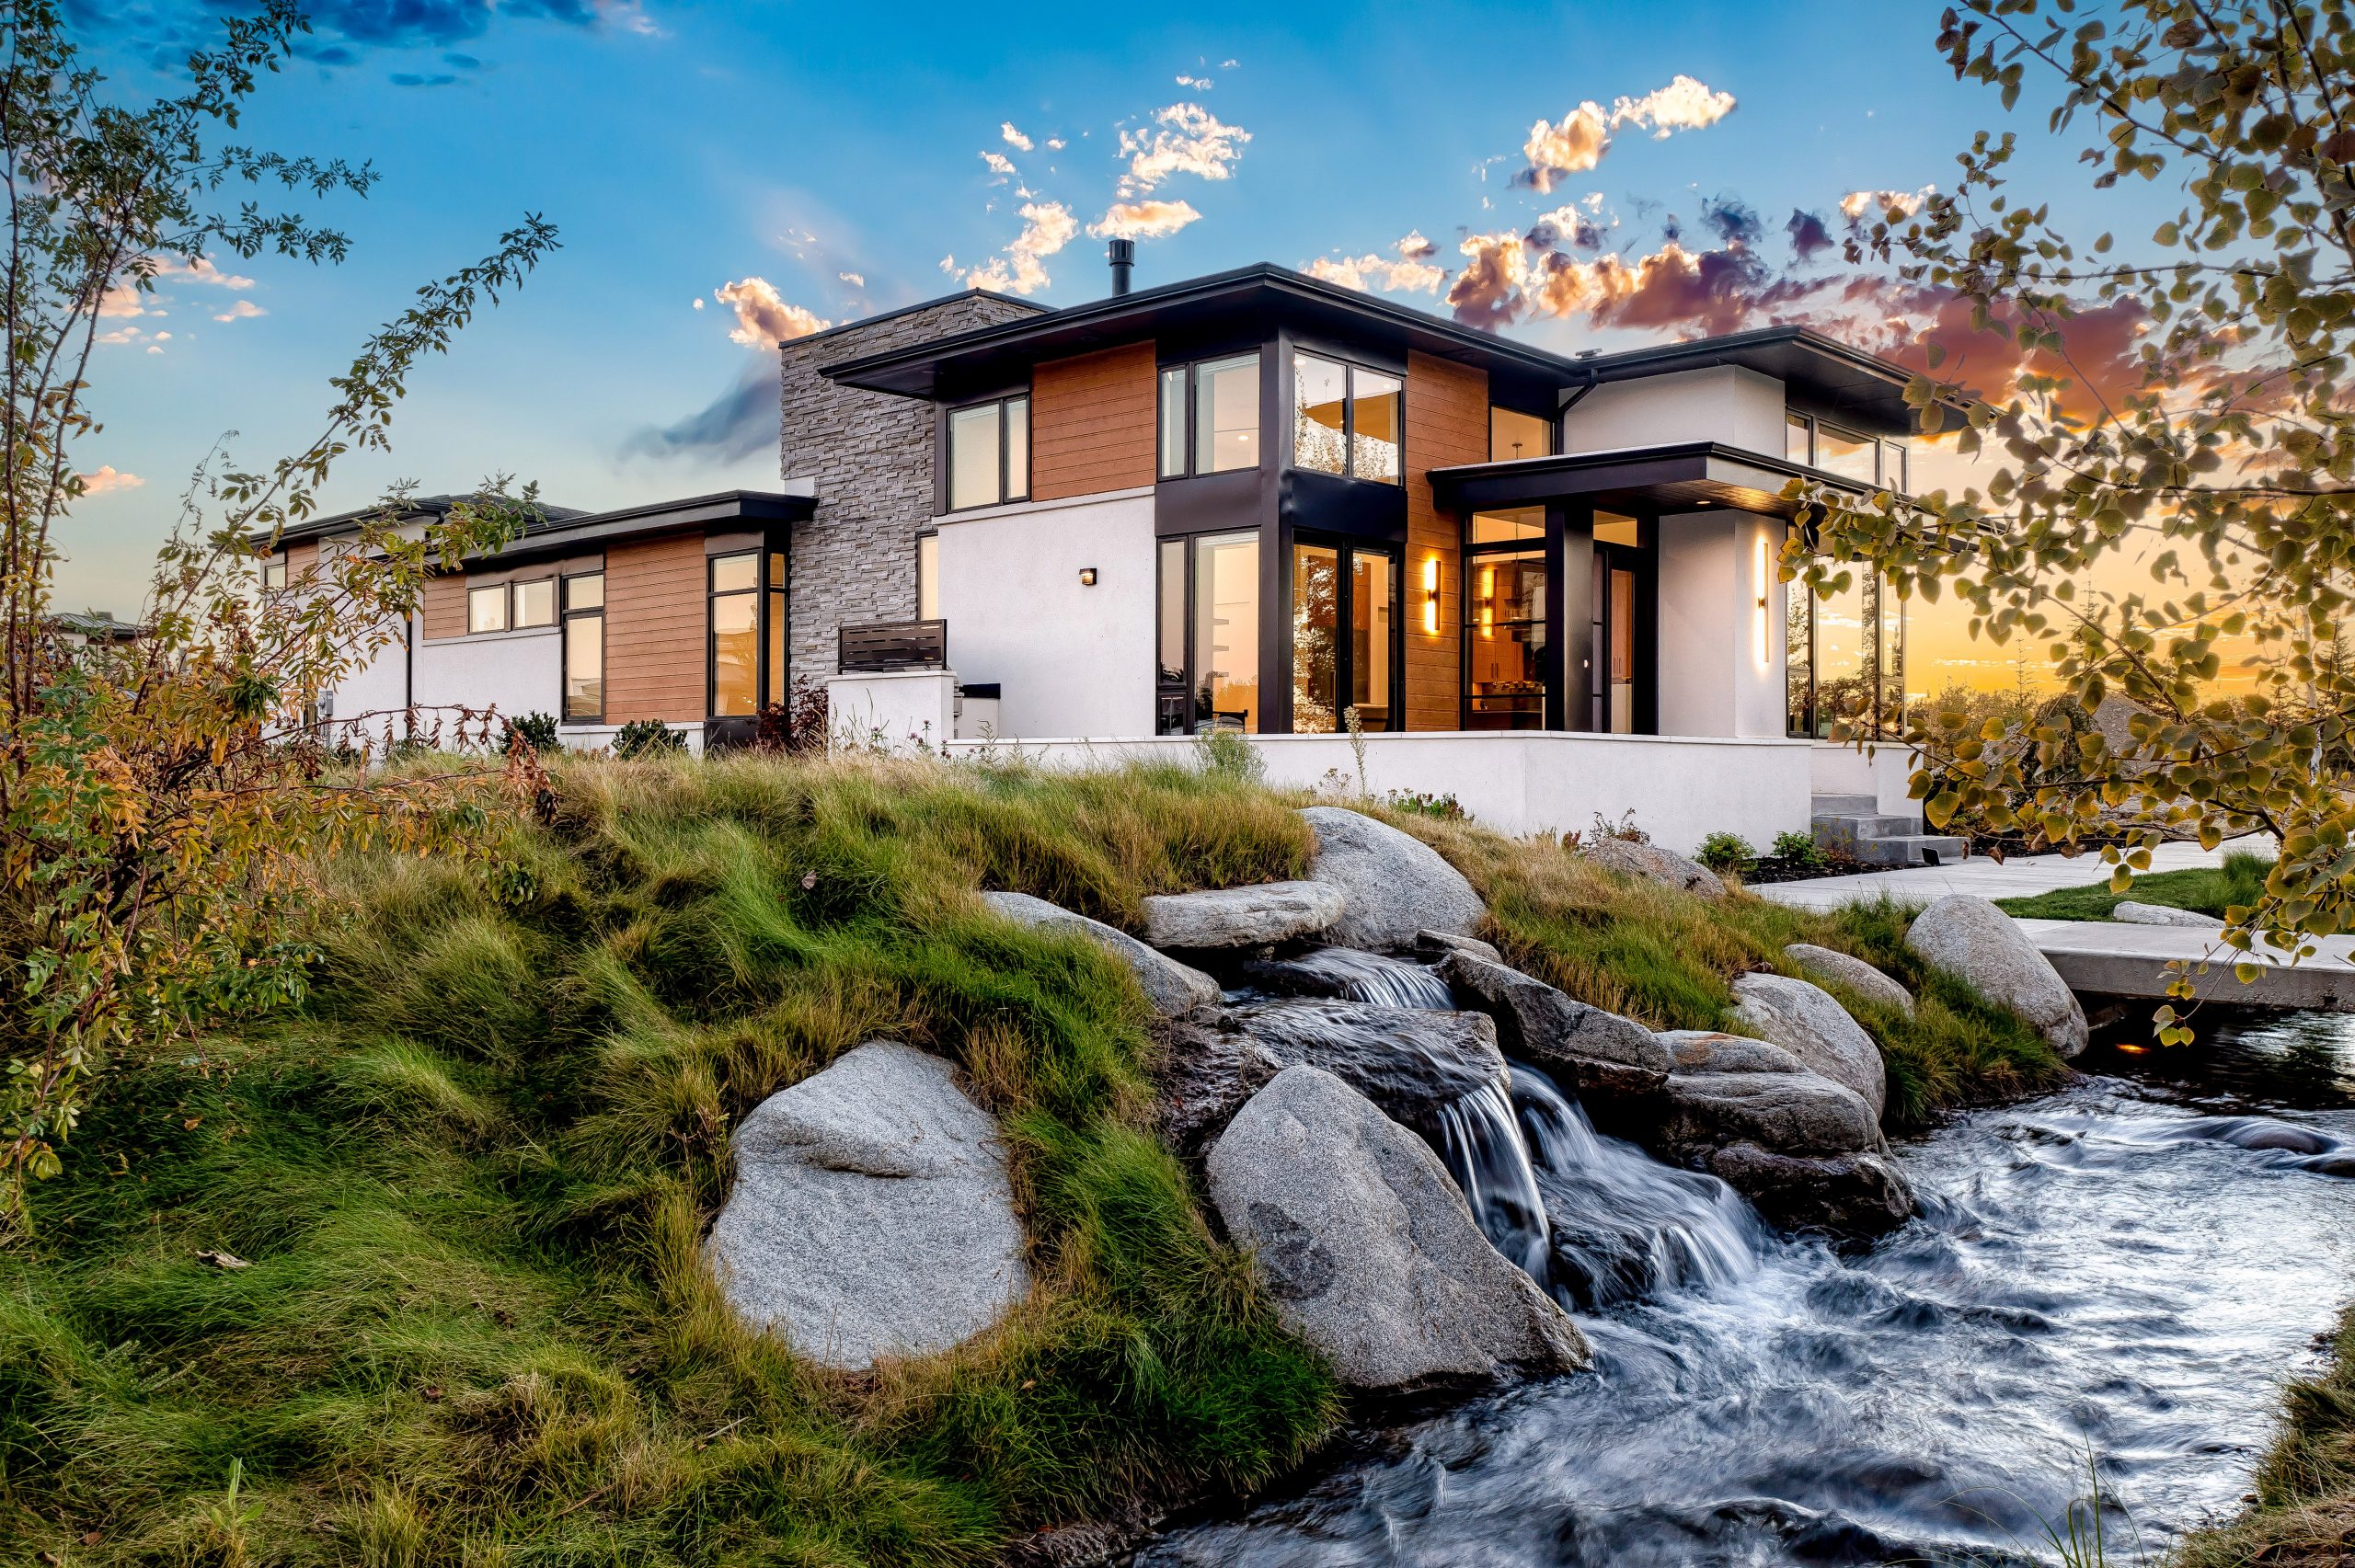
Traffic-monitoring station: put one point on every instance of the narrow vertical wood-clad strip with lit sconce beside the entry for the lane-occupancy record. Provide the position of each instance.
(1447, 423)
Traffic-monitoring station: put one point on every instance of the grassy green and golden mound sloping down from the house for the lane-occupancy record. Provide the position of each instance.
(413, 1277)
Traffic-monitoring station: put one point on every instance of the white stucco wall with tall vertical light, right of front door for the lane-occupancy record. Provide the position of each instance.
(1716, 569)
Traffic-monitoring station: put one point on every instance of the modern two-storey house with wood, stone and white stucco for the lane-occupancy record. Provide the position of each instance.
(1256, 503)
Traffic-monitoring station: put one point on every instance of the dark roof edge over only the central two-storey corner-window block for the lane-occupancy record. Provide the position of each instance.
(896, 368)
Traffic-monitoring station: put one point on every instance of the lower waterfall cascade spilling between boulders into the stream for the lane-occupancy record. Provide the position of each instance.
(1621, 1223)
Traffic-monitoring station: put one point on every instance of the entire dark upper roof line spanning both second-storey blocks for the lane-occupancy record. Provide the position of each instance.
(1826, 371)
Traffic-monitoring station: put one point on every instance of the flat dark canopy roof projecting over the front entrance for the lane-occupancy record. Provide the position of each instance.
(1690, 477)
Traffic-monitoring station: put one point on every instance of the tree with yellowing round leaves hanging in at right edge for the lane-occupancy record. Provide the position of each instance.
(2224, 458)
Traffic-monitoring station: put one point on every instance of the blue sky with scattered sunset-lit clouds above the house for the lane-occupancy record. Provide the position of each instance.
(790, 150)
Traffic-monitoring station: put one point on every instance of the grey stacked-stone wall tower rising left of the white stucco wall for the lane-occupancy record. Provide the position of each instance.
(870, 458)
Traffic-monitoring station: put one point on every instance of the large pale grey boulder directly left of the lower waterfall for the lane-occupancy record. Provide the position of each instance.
(1369, 1251)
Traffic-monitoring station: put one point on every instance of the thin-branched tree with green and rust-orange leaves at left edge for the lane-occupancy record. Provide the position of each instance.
(164, 802)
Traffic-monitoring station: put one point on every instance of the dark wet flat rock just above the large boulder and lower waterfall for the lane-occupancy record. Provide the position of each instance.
(1407, 1061)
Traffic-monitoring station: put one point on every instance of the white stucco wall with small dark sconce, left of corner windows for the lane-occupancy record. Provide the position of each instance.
(1068, 658)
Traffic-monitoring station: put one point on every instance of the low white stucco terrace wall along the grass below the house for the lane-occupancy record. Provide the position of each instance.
(1527, 783)
